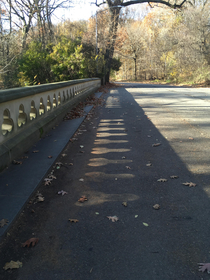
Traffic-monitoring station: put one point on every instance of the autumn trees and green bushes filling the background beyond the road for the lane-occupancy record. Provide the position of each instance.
(156, 43)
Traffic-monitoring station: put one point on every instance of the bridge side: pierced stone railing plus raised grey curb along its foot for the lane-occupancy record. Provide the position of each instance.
(28, 115)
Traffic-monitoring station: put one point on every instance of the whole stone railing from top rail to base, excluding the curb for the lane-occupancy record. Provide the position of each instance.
(24, 111)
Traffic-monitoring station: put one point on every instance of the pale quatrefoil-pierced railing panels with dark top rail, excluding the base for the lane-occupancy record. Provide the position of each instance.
(30, 105)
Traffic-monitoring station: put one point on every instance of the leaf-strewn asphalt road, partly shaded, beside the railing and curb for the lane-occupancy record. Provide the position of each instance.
(114, 161)
